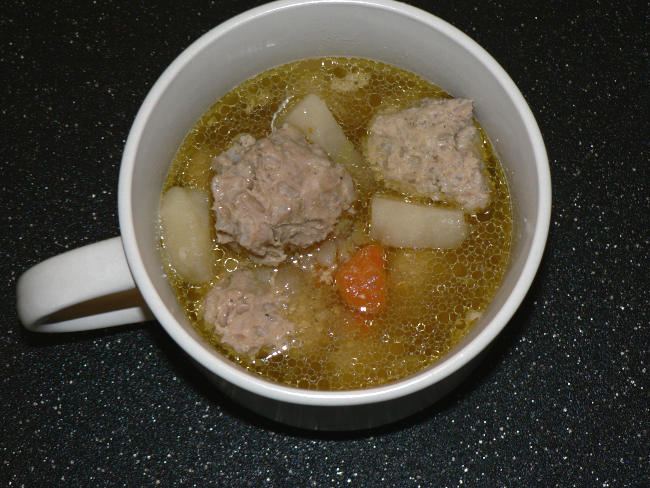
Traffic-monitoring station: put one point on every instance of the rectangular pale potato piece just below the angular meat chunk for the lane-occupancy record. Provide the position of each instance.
(399, 224)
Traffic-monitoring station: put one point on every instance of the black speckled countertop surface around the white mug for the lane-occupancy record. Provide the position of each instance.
(560, 400)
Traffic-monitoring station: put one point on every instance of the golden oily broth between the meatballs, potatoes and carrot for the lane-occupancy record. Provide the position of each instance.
(434, 296)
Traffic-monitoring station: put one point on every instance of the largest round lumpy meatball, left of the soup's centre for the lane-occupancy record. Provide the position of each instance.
(277, 193)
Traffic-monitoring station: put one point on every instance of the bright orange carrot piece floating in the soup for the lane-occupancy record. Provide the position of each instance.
(362, 280)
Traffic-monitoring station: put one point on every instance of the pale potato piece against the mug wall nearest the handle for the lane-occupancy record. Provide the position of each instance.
(185, 220)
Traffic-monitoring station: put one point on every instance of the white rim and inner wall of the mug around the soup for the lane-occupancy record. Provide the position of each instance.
(282, 32)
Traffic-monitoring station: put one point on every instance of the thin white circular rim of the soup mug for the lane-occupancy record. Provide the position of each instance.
(237, 375)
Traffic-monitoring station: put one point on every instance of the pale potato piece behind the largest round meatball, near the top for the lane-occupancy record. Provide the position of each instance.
(312, 117)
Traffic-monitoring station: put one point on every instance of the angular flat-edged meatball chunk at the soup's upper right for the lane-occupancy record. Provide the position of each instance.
(431, 150)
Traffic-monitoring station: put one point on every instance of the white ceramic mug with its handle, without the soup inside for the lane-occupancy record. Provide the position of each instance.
(100, 280)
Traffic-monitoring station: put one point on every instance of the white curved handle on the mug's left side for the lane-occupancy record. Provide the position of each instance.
(87, 288)
